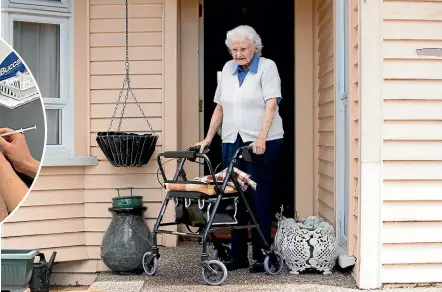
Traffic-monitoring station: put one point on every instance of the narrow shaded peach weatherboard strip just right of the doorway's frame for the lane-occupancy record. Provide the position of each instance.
(324, 117)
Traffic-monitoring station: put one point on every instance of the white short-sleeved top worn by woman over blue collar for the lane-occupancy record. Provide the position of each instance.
(244, 106)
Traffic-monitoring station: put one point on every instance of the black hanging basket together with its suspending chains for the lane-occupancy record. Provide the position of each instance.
(124, 149)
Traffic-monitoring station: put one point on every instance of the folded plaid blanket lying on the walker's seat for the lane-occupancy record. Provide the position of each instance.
(205, 184)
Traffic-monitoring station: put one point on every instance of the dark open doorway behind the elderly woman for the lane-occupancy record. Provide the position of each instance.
(275, 25)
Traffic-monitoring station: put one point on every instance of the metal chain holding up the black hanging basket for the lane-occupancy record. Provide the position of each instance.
(127, 80)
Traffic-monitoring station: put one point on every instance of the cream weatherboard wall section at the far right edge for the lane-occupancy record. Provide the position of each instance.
(411, 148)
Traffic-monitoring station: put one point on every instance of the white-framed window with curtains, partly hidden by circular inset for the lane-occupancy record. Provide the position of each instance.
(41, 32)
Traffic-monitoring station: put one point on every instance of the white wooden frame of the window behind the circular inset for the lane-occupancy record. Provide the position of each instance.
(65, 102)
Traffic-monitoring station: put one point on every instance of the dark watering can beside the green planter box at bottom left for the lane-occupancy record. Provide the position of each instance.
(41, 274)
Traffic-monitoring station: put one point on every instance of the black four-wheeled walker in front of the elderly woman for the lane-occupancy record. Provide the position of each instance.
(211, 213)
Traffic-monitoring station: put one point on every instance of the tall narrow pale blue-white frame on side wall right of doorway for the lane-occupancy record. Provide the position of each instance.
(342, 165)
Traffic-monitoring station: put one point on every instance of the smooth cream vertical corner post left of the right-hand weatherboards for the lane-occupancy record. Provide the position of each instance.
(370, 144)
